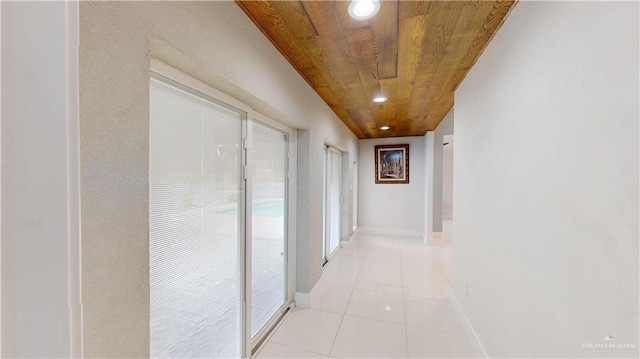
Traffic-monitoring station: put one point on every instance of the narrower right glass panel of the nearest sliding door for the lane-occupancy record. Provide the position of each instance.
(269, 224)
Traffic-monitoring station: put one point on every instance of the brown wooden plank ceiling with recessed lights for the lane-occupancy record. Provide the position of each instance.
(413, 52)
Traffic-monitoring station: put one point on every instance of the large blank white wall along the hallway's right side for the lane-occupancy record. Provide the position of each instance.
(546, 188)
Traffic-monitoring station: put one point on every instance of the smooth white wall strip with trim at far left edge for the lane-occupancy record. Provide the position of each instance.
(40, 209)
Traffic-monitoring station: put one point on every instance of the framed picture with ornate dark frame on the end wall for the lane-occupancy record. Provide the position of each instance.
(392, 163)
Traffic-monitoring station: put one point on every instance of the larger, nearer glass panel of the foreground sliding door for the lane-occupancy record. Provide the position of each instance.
(195, 231)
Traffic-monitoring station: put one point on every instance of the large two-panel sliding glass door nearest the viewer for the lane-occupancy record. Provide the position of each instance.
(218, 224)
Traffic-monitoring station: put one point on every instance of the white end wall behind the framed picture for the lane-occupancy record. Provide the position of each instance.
(392, 207)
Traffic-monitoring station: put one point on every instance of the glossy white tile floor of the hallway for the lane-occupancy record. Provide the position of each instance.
(385, 297)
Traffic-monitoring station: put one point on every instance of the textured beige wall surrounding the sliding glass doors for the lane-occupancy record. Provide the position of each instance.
(218, 44)
